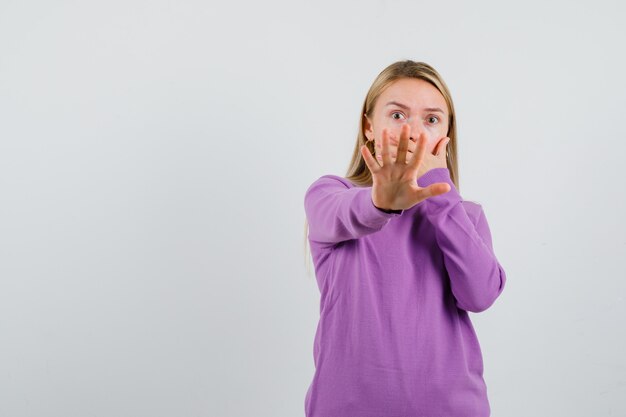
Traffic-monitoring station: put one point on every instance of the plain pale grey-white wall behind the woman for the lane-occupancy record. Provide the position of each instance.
(154, 157)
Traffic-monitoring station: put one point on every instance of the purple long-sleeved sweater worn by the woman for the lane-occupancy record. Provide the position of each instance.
(394, 338)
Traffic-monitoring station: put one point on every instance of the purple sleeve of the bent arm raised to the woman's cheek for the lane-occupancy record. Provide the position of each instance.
(476, 276)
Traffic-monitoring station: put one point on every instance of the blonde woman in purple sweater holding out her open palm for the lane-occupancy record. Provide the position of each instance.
(400, 259)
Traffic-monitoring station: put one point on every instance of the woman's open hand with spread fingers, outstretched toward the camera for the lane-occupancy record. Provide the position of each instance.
(394, 183)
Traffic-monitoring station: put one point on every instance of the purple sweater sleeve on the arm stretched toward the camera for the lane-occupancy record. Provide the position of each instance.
(336, 212)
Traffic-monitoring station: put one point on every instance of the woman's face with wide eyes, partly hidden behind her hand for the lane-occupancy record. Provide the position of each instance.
(413, 101)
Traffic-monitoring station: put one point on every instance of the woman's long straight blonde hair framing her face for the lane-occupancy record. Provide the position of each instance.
(358, 172)
